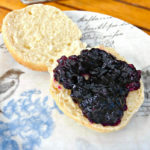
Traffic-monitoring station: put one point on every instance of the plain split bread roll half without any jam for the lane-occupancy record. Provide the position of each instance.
(38, 33)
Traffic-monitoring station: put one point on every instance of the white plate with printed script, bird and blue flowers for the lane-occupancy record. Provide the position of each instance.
(31, 121)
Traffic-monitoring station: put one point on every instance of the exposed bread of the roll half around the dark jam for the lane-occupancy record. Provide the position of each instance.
(71, 109)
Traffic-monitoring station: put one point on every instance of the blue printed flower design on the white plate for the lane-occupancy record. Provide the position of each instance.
(31, 120)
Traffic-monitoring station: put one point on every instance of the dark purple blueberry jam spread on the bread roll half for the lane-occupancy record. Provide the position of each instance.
(99, 84)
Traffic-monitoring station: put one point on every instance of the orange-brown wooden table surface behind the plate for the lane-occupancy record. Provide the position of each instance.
(136, 12)
